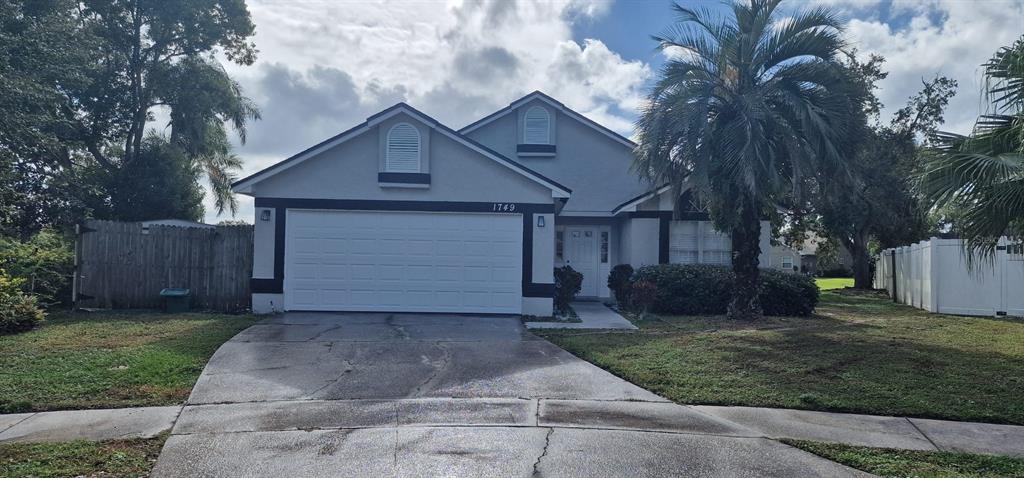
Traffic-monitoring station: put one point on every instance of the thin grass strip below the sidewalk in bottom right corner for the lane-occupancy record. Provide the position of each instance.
(908, 464)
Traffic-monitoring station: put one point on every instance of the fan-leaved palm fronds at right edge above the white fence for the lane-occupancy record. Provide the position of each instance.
(982, 177)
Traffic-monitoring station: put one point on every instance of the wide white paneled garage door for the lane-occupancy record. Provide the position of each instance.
(404, 262)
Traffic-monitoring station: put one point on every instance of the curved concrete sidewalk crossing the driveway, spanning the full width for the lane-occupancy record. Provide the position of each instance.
(739, 422)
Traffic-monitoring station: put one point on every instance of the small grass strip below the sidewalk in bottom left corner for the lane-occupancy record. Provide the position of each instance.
(118, 459)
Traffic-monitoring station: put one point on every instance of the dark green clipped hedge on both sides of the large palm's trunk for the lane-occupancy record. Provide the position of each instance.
(706, 290)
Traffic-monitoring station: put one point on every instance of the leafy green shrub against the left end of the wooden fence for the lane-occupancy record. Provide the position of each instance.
(46, 264)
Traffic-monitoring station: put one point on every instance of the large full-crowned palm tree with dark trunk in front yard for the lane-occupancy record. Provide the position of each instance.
(749, 107)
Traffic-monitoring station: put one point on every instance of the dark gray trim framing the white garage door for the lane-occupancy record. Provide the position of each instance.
(281, 205)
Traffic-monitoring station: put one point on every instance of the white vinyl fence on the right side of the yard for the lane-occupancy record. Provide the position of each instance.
(934, 276)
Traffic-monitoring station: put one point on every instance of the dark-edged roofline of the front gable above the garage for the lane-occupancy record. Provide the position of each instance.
(244, 186)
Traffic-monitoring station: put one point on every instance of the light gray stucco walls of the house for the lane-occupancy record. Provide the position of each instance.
(579, 182)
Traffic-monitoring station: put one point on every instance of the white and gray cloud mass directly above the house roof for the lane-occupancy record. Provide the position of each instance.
(325, 67)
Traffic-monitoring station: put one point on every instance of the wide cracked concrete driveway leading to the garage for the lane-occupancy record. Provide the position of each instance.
(331, 395)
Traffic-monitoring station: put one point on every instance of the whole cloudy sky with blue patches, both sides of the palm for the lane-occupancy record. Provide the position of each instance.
(327, 65)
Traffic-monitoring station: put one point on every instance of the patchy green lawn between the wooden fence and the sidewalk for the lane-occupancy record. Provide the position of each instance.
(103, 360)
